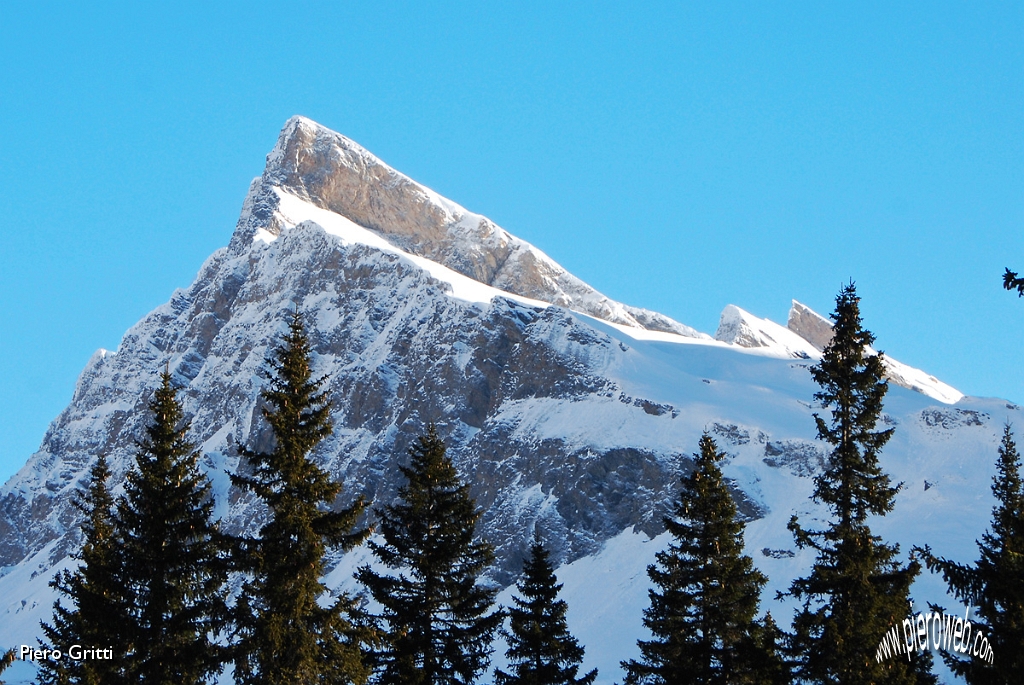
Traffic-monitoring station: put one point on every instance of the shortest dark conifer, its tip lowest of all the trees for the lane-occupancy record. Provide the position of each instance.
(541, 650)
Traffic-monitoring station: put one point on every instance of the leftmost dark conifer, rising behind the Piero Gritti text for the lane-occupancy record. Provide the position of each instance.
(98, 614)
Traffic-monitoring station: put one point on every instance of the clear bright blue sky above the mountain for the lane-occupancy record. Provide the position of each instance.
(676, 156)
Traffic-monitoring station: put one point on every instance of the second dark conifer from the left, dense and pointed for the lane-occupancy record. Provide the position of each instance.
(173, 565)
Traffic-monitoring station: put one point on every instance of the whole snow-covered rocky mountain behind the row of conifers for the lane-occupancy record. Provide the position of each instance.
(567, 412)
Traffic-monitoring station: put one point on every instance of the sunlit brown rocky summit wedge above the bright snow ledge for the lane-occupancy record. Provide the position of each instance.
(332, 173)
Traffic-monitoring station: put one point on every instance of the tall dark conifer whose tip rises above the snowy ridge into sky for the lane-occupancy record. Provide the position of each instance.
(858, 589)
